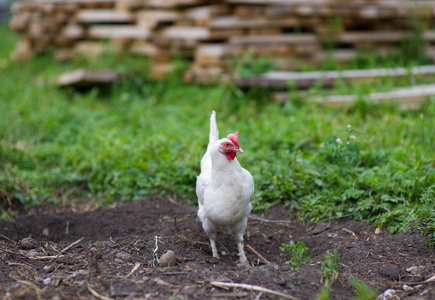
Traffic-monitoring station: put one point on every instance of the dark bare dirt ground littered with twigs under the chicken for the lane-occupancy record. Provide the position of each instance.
(111, 253)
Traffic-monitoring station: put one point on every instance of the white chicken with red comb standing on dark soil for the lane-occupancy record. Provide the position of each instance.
(224, 189)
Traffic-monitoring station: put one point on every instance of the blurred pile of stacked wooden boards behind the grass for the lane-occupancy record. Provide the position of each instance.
(212, 34)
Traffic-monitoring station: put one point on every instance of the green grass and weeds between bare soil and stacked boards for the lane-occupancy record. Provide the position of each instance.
(144, 137)
